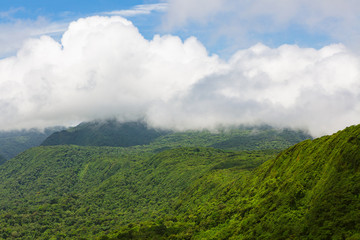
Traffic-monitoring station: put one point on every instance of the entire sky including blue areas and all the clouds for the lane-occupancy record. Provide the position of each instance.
(181, 64)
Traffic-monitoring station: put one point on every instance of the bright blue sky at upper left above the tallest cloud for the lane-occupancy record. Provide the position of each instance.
(22, 17)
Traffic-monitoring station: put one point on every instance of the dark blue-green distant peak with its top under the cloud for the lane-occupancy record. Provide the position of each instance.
(105, 133)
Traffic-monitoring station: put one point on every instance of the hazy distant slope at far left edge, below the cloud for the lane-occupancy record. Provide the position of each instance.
(14, 142)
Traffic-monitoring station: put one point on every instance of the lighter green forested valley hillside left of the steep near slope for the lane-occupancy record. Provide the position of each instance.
(87, 191)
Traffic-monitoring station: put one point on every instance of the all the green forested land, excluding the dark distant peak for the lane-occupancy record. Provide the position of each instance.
(179, 186)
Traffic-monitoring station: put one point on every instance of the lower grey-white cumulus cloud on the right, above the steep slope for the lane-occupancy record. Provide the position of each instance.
(288, 86)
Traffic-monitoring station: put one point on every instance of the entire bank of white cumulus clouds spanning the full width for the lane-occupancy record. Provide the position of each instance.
(103, 67)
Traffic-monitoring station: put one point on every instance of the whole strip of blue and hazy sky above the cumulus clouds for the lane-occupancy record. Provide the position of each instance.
(222, 30)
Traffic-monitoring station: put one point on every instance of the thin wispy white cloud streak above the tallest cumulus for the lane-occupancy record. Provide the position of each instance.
(139, 10)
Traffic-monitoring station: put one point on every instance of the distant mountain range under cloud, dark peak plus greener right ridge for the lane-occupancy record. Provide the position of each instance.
(115, 134)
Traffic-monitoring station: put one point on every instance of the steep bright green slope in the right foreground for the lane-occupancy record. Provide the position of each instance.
(309, 191)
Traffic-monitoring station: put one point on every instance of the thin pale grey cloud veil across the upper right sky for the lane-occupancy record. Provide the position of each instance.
(247, 21)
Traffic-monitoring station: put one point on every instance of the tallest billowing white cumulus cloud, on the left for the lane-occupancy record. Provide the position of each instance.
(103, 67)
